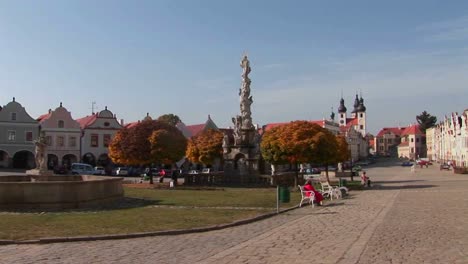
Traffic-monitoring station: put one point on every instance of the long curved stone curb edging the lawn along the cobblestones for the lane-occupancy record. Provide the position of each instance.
(47, 240)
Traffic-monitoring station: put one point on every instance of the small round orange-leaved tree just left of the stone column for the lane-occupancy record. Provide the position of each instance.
(205, 147)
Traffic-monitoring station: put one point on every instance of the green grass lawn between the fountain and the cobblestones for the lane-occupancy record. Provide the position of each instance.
(165, 210)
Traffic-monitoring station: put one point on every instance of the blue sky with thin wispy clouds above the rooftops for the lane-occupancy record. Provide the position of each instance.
(182, 57)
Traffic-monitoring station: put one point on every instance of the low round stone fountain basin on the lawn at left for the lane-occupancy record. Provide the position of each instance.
(58, 191)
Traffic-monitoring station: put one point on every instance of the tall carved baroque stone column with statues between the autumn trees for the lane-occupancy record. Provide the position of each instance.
(241, 149)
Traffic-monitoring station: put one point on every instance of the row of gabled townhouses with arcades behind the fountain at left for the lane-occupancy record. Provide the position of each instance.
(82, 140)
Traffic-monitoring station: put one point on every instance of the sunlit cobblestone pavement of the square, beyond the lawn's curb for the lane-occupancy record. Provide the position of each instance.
(405, 218)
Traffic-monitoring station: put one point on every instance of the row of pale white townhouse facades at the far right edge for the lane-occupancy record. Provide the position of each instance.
(448, 140)
